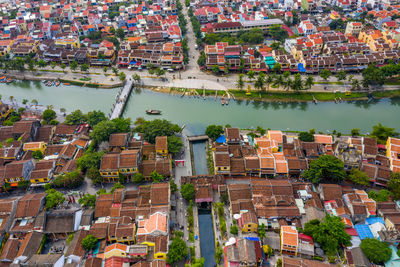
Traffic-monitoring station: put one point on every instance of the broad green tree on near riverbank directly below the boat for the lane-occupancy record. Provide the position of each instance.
(154, 128)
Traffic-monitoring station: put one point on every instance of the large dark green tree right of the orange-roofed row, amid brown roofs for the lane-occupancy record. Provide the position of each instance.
(326, 167)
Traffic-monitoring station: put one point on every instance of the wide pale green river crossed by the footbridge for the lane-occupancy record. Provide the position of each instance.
(197, 113)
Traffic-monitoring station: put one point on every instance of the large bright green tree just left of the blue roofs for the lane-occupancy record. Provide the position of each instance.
(330, 233)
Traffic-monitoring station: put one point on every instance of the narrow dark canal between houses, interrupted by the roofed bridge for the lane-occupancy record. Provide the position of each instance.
(207, 246)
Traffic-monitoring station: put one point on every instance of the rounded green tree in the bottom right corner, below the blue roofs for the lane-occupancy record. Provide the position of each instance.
(376, 251)
